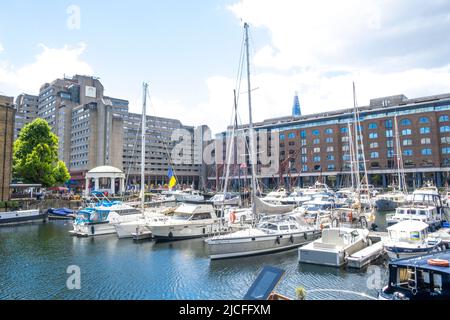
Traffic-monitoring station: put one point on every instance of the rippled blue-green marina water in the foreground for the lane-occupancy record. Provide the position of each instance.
(34, 260)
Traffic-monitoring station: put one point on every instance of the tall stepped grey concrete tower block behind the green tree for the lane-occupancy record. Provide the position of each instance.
(88, 124)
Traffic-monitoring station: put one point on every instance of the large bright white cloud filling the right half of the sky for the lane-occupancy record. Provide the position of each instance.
(319, 48)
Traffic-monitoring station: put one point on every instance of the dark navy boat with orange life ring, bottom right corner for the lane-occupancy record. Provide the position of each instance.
(421, 278)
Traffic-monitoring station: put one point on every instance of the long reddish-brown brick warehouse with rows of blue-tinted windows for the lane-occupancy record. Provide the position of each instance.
(317, 145)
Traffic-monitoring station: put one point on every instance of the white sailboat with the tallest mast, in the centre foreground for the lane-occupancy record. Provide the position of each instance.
(273, 233)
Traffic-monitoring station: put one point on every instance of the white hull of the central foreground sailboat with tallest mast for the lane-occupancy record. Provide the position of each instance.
(248, 246)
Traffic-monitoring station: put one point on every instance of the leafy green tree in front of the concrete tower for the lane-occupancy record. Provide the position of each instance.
(35, 156)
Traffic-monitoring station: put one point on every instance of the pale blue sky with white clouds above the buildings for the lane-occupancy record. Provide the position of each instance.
(189, 52)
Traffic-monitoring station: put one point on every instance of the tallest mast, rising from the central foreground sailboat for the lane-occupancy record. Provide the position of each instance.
(250, 125)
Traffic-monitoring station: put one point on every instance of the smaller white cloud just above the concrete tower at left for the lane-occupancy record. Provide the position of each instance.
(49, 64)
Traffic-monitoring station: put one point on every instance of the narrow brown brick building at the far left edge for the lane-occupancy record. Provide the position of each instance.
(7, 114)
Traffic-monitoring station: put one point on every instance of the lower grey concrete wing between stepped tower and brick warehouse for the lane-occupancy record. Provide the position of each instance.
(159, 147)
